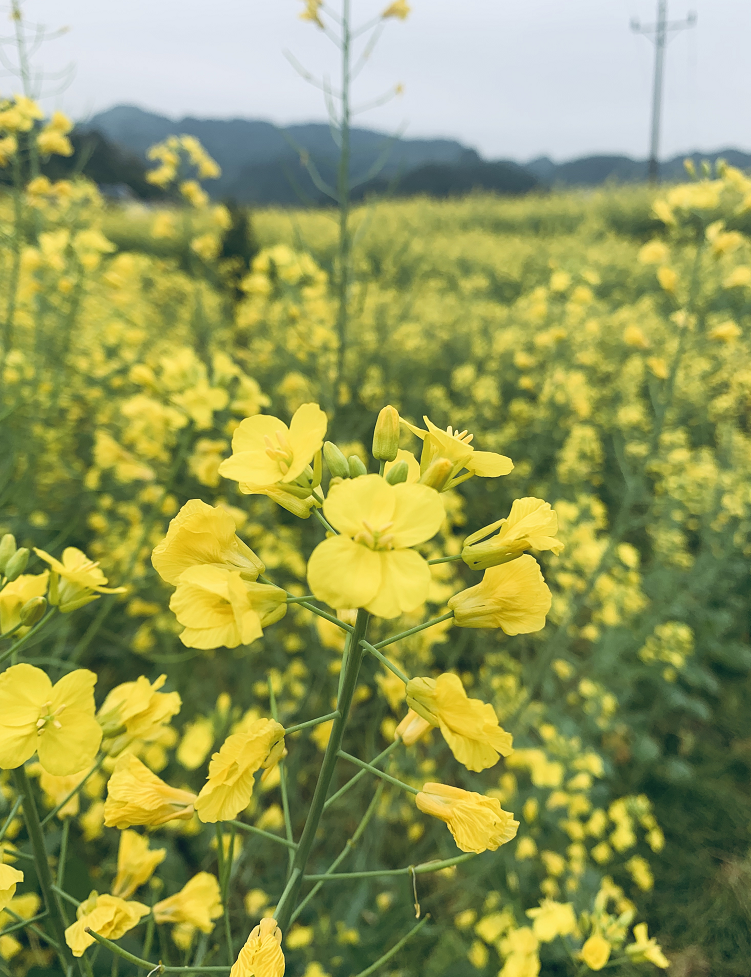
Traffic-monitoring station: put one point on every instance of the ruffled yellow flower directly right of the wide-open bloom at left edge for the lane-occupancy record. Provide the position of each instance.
(136, 711)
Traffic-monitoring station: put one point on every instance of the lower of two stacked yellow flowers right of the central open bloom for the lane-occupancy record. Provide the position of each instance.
(513, 596)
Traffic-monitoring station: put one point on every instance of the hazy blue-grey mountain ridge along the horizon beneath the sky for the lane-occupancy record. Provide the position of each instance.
(261, 161)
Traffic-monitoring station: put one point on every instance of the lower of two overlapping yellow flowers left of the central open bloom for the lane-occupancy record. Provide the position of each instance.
(218, 608)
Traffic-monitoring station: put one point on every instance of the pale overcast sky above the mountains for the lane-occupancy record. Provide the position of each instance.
(513, 78)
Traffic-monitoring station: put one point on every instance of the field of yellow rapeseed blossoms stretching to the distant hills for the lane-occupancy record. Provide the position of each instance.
(411, 642)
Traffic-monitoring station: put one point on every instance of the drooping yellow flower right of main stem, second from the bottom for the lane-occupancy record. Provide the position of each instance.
(469, 726)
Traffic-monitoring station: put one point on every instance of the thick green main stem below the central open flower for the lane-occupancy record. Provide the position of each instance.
(344, 702)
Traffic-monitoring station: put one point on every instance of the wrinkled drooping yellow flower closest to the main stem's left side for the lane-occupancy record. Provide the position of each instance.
(230, 783)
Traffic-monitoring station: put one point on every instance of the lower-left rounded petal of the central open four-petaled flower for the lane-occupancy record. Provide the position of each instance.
(344, 573)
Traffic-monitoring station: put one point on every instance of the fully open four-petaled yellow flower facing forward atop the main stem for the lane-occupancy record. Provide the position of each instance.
(370, 563)
